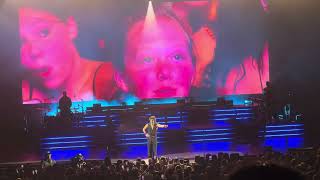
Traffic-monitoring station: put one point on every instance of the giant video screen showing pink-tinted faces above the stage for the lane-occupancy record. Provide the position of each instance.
(109, 50)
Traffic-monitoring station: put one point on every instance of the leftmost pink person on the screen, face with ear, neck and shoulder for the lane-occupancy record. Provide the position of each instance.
(50, 57)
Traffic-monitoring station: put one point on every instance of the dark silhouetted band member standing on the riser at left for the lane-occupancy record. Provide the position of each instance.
(64, 106)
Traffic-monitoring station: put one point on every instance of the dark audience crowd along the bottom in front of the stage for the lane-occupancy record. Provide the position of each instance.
(293, 165)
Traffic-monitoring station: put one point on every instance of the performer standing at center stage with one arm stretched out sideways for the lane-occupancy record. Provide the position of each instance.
(150, 131)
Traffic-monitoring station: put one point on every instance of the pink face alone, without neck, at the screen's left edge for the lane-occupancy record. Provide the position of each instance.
(46, 47)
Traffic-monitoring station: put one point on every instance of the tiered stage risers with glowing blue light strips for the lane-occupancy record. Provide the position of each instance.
(193, 129)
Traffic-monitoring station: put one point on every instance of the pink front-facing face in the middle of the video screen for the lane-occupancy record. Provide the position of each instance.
(158, 64)
